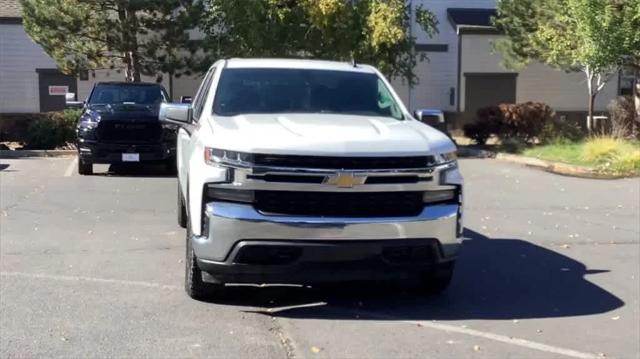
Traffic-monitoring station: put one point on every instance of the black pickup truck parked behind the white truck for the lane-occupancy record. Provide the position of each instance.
(119, 123)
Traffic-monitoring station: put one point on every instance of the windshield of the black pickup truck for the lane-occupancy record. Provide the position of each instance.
(129, 94)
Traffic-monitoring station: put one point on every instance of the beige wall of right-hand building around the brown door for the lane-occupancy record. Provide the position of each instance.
(560, 90)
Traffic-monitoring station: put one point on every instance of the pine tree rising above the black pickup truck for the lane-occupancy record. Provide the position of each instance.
(145, 37)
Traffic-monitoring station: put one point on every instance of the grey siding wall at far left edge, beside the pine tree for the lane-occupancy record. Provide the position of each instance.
(19, 58)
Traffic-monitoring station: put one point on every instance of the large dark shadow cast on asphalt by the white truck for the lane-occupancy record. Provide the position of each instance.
(494, 279)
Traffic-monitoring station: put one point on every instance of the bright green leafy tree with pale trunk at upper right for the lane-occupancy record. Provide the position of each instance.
(596, 37)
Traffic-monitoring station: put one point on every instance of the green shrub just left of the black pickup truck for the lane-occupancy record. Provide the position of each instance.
(57, 129)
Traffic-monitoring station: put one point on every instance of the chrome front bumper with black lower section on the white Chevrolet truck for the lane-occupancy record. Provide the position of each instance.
(244, 245)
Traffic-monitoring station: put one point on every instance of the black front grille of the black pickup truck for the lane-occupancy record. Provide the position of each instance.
(129, 132)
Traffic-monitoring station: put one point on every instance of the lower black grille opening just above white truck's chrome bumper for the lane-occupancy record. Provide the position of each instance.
(338, 204)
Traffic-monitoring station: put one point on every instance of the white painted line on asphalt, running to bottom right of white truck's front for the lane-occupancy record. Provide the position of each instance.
(491, 336)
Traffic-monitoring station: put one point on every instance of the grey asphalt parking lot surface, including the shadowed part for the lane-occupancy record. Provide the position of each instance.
(93, 267)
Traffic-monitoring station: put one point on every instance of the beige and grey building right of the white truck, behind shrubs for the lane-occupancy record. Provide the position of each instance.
(464, 72)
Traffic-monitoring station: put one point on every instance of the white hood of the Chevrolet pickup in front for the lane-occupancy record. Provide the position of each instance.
(326, 135)
